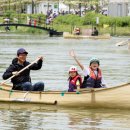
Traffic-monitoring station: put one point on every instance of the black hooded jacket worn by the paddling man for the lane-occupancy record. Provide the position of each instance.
(23, 76)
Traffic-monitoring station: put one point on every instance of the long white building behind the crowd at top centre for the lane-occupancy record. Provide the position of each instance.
(55, 5)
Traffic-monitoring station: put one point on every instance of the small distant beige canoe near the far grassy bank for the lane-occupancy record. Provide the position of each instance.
(67, 35)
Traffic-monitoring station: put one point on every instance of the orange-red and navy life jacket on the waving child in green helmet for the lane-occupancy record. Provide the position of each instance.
(93, 80)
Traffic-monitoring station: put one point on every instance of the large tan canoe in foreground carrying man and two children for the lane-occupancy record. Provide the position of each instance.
(113, 97)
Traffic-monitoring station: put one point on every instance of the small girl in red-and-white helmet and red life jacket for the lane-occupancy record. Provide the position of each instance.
(75, 80)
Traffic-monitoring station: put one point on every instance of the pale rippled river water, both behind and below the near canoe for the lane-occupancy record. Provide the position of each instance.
(115, 64)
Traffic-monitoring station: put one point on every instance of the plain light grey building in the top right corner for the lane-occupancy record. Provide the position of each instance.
(119, 8)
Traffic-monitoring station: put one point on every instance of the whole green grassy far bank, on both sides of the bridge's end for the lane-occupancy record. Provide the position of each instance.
(119, 26)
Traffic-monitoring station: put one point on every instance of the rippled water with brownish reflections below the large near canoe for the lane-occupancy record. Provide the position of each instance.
(48, 118)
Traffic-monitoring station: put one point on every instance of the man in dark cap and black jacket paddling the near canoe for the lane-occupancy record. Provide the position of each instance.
(22, 81)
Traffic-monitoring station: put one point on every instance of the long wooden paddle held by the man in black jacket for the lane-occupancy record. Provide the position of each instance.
(20, 71)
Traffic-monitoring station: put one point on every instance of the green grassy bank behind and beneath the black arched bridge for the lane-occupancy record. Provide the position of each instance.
(23, 19)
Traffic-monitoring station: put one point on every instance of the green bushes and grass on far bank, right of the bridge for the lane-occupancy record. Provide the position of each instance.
(119, 26)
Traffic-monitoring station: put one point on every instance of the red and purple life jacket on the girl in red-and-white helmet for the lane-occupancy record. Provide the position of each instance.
(72, 83)
